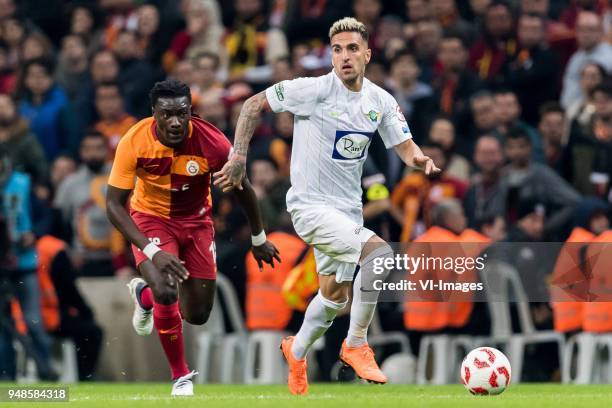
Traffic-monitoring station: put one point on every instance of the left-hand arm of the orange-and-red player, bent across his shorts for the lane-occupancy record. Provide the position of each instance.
(116, 199)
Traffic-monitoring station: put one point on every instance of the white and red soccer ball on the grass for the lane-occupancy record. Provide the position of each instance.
(485, 371)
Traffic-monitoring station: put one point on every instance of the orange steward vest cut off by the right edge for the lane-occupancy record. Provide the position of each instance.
(598, 314)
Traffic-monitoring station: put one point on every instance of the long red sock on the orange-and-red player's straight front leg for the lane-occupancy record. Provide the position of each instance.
(169, 327)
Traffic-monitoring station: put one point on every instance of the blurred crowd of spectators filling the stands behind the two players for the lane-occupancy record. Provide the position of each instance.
(512, 100)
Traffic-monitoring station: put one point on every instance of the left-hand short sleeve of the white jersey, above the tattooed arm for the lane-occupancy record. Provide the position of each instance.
(298, 96)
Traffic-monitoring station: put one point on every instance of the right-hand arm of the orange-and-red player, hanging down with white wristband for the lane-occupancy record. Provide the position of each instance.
(263, 250)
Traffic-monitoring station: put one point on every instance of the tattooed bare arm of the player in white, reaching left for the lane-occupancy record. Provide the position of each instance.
(231, 175)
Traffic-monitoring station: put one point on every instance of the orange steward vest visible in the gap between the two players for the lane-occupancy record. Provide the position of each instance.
(266, 309)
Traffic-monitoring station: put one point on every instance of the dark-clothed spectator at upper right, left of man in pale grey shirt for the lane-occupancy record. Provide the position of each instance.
(533, 67)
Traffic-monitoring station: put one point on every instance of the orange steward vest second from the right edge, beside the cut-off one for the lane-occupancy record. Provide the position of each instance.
(567, 315)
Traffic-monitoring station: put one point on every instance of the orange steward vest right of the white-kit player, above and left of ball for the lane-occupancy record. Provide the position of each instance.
(444, 311)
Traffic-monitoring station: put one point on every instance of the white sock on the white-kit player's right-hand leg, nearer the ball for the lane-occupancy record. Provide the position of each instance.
(362, 310)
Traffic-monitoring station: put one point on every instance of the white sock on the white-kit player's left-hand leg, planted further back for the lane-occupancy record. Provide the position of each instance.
(318, 318)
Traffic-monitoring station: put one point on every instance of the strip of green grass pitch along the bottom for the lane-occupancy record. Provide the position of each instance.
(107, 395)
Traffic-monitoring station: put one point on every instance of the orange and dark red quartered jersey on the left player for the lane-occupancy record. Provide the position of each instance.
(170, 182)
